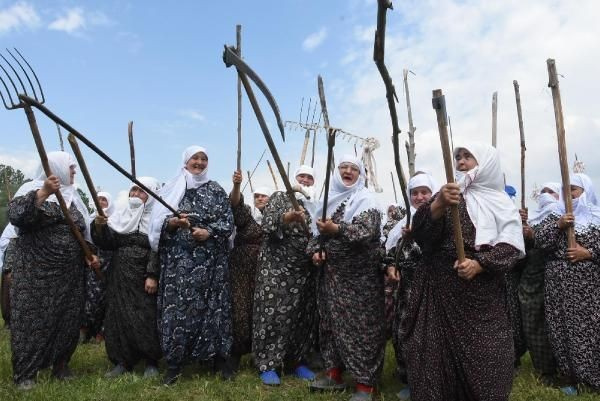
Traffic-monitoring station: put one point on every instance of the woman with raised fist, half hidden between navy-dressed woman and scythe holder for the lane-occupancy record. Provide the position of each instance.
(243, 259)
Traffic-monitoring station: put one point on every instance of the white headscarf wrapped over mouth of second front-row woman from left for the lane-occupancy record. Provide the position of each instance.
(136, 215)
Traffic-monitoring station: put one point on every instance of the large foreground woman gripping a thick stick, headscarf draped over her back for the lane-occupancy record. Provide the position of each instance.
(457, 332)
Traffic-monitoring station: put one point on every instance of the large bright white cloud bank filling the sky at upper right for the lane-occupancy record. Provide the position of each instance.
(471, 49)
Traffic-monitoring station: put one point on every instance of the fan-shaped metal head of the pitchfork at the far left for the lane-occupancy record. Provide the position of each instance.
(15, 81)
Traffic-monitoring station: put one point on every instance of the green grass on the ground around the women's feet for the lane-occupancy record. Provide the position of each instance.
(89, 365)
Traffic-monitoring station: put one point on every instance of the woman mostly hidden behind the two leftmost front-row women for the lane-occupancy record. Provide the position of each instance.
(95, 287)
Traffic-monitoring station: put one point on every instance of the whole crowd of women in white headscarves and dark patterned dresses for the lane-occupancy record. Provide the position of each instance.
(225, 277)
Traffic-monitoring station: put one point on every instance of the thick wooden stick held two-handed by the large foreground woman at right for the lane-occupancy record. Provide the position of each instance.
(439, 104)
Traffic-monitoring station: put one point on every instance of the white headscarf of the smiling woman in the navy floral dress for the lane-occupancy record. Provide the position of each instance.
(173, 192)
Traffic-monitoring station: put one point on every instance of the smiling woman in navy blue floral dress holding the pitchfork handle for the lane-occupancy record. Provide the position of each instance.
(194, 300)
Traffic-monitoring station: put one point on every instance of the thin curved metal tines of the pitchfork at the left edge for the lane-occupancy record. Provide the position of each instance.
(6, 98)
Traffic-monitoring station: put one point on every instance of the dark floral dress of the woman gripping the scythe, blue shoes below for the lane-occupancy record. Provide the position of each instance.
(284, 298)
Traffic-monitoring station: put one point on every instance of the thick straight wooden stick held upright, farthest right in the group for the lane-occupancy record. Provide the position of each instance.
(562, 145)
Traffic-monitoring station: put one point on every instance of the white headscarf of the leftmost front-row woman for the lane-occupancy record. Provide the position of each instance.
(60, 164)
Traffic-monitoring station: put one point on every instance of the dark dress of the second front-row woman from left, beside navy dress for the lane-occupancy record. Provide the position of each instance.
(130, 324)
